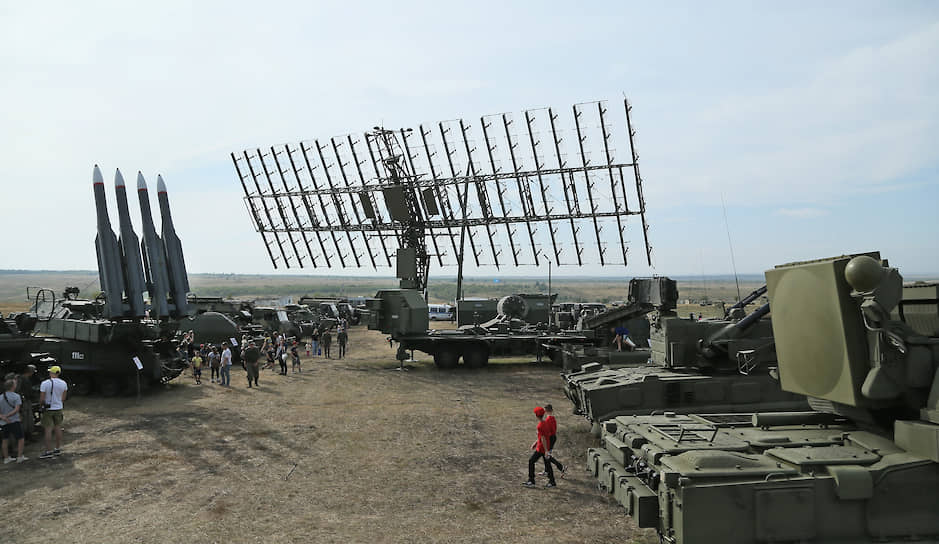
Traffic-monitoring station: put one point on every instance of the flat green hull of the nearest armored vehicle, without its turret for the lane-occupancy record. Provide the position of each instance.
(741, 479)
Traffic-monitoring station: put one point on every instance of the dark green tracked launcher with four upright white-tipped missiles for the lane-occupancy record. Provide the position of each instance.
(100, 343)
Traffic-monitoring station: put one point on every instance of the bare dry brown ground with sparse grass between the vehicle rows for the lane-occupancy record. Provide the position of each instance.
(347, 451)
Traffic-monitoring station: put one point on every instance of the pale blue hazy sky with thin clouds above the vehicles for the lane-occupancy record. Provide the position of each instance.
(813, 126)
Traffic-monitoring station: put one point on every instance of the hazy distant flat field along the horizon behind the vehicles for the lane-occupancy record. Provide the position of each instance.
(13, 285)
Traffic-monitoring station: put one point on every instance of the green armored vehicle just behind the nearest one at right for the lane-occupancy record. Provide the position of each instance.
(713, 365)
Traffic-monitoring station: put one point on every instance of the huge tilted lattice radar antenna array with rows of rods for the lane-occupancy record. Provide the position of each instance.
(543, 186)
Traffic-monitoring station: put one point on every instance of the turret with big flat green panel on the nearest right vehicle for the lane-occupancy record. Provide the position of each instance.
(842, 336)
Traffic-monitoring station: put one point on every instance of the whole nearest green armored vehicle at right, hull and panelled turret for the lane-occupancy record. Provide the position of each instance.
(862, 466)
